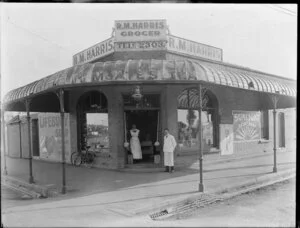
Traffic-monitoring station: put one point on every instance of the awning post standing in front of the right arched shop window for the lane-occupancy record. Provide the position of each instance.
(201, 187)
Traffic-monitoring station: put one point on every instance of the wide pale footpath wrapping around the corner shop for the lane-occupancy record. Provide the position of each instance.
(95, 195)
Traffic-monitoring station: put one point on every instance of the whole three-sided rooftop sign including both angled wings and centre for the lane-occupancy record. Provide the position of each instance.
(146, 35)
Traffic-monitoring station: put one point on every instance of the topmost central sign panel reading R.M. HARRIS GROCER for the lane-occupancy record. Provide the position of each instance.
(140, 30)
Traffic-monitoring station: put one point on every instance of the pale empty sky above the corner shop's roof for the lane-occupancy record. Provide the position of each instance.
(40, 39)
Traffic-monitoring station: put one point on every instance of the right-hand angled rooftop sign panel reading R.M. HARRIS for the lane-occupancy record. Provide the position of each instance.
(180, 45)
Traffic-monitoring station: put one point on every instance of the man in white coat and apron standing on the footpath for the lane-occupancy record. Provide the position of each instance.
(168, 149)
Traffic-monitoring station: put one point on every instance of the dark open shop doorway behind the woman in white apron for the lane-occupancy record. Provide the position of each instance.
(147, 122)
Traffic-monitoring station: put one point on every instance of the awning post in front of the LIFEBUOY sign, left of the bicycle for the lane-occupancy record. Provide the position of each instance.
(60, 95)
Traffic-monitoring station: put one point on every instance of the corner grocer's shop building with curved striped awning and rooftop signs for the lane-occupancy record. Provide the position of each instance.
(175, 80)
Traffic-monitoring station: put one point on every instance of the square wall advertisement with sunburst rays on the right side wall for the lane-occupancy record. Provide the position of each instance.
(246, 125)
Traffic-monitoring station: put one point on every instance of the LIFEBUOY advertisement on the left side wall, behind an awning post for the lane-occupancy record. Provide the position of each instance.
(50, 136)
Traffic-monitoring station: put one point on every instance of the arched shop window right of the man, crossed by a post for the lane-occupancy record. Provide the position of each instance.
(188, 120)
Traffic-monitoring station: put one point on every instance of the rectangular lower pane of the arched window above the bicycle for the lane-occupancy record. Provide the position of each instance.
(97, 130)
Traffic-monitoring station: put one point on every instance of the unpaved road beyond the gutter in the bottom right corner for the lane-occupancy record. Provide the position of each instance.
(272, 206)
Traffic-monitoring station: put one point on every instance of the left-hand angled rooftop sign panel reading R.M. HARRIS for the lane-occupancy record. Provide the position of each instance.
(97, 51)
